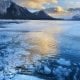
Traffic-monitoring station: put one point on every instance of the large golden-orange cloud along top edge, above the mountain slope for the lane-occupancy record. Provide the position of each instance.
(37, 4)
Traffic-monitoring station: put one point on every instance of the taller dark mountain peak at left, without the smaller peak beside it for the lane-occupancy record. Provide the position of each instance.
(16, 12)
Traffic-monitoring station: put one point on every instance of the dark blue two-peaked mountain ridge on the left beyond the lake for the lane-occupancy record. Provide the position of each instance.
(14, 11)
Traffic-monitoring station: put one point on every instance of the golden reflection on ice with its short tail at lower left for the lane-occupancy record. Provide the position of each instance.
(41, 43)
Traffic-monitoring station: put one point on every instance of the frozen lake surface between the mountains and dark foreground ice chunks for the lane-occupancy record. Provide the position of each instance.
(25, 42)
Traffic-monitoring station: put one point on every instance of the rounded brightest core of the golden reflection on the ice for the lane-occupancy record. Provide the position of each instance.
(42, 43)
